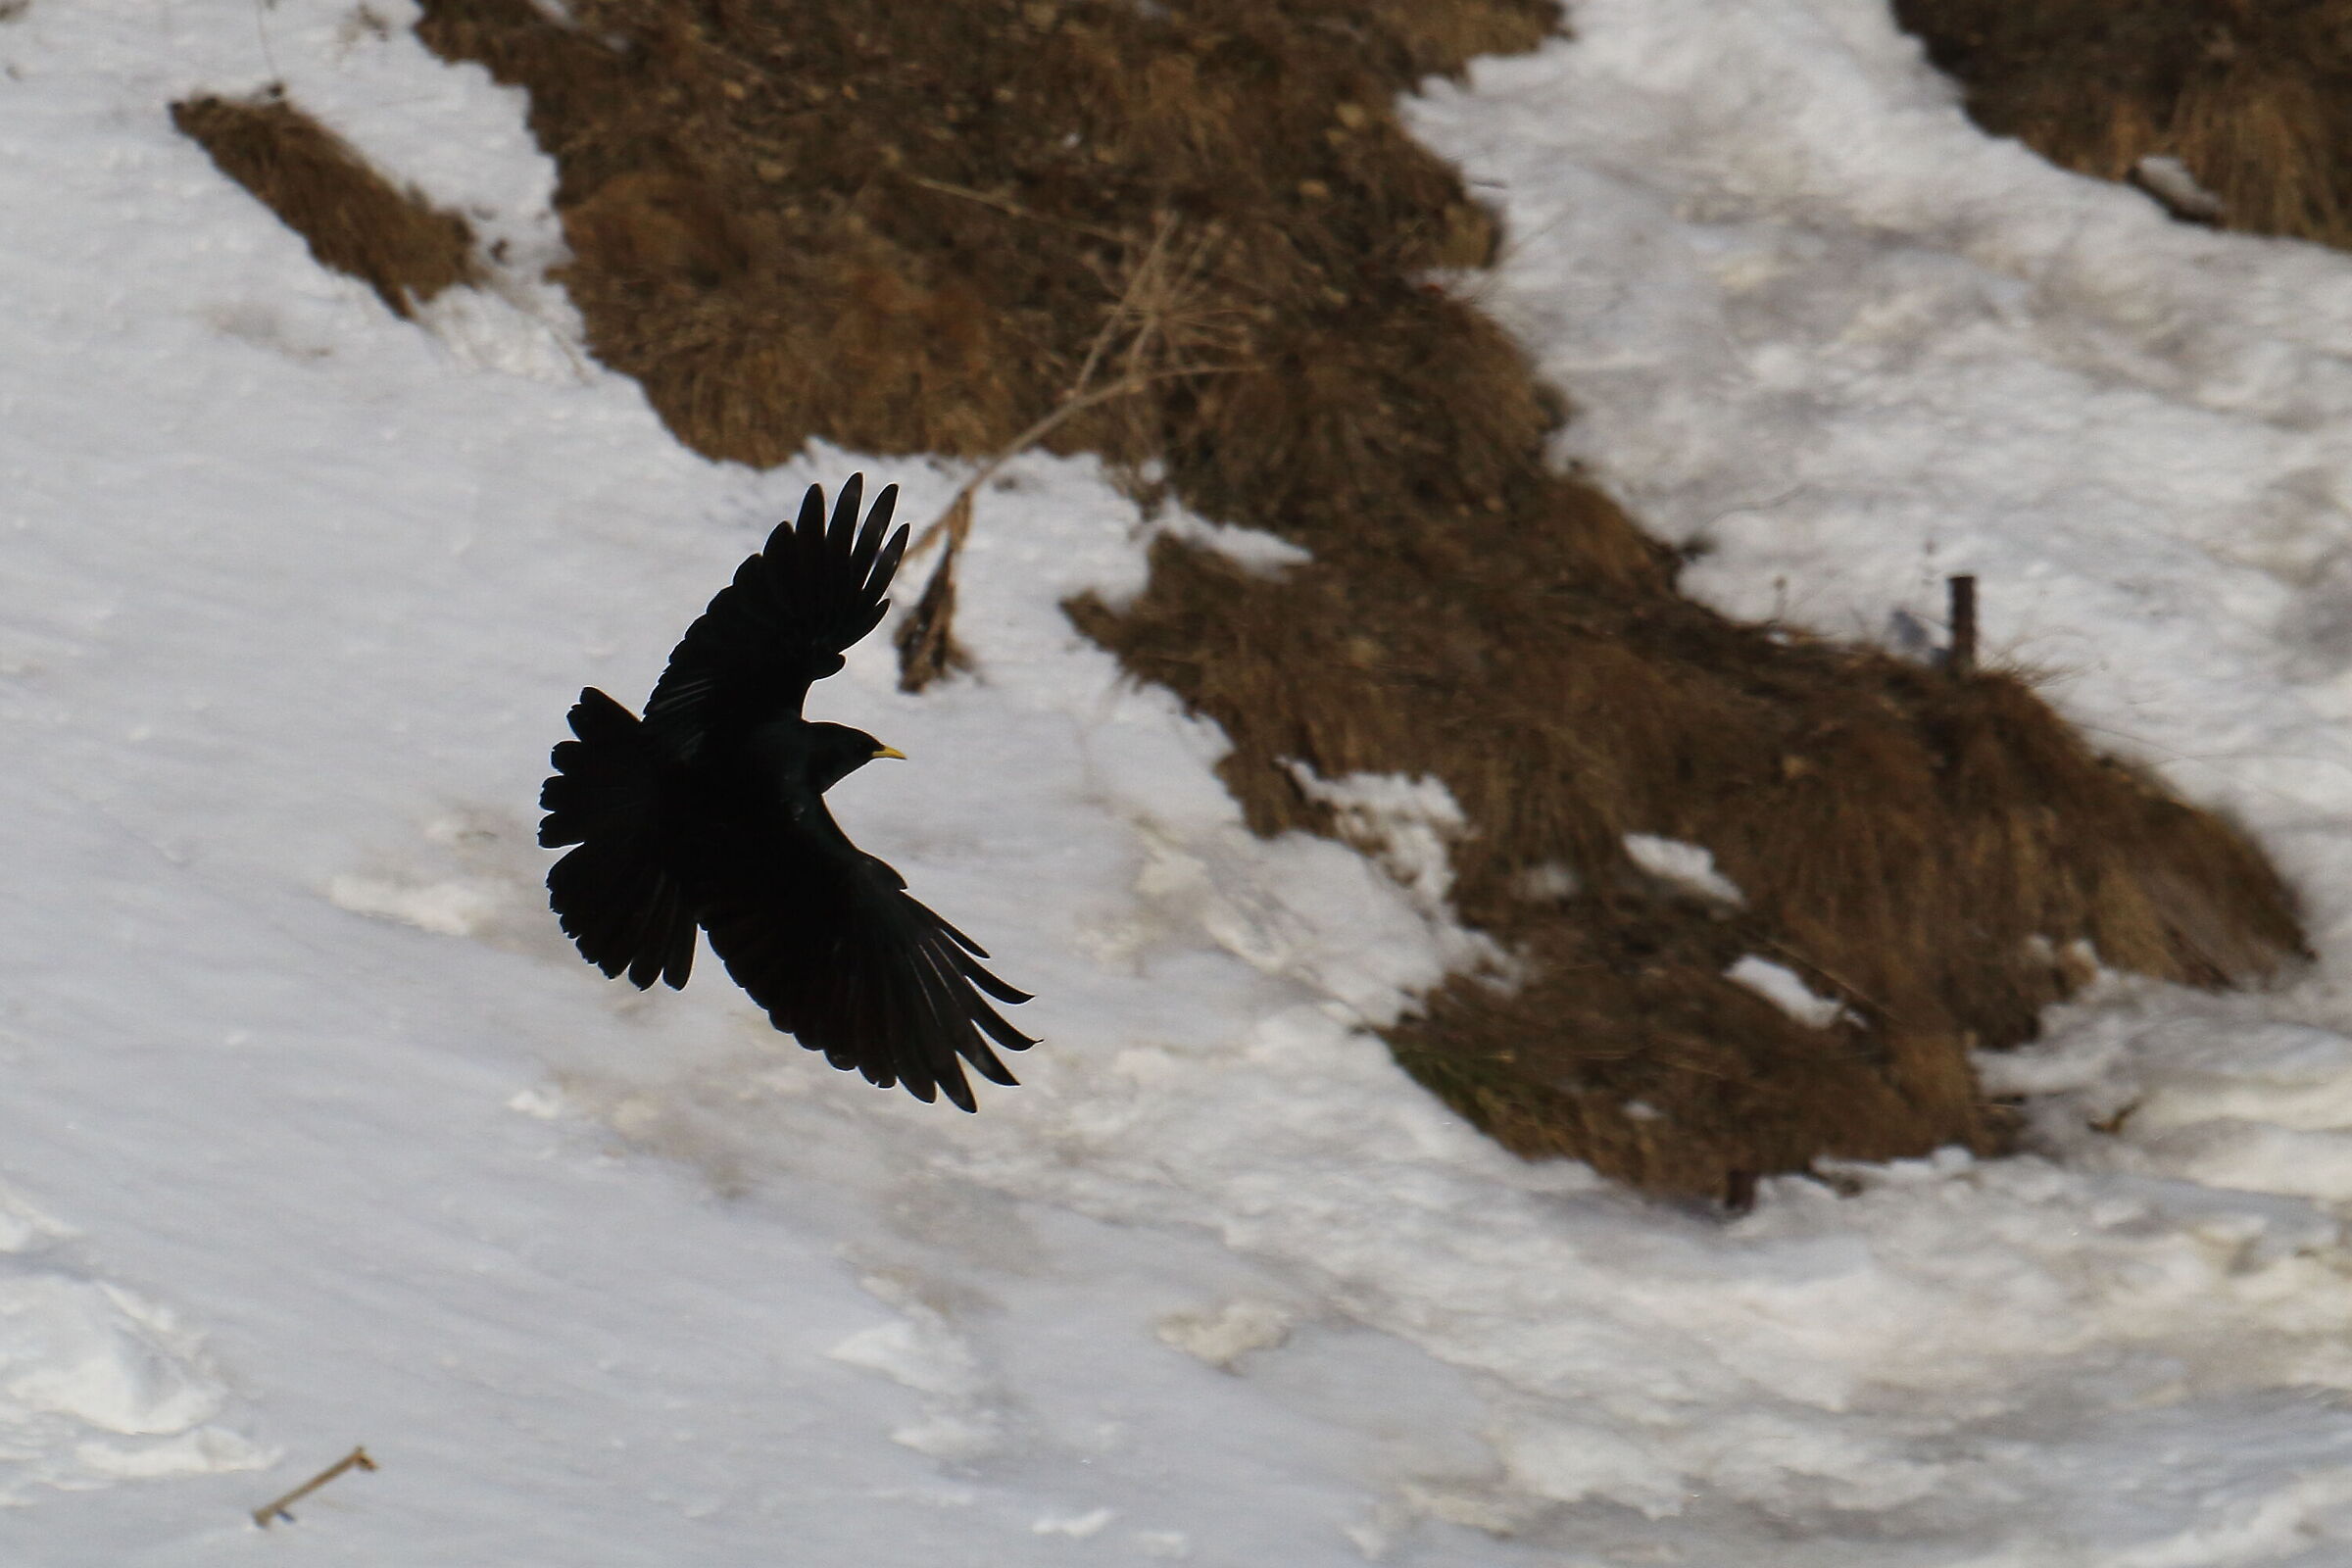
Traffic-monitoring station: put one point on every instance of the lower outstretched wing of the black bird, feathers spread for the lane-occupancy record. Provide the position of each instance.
(850, 965)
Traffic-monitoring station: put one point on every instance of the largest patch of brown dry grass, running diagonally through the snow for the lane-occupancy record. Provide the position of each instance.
(1196, 236)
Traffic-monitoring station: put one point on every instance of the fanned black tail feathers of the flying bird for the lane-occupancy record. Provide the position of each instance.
(613, 894)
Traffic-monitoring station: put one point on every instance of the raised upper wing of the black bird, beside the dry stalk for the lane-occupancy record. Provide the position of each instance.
(782, 624)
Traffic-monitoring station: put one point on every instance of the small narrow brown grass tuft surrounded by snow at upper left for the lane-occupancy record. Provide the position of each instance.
(354, 220)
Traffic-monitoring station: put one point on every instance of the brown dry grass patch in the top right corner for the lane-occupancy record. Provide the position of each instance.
(2252, 98)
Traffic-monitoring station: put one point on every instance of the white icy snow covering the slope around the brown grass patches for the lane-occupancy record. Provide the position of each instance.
(319, 1134)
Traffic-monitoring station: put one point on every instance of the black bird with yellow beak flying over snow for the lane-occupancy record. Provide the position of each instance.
(711, 812)
